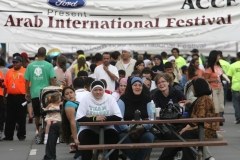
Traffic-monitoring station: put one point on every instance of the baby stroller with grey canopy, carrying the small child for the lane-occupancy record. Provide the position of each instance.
(44, 95)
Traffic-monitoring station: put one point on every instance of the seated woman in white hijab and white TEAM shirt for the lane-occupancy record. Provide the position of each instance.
(98, 106)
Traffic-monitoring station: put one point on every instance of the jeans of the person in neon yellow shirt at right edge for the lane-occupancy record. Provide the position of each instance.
(236, 103)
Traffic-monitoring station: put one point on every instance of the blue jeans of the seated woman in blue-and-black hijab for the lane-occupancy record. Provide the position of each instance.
(141, 154)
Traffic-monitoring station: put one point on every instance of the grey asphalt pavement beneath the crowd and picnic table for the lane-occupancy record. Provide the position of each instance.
(28, 150)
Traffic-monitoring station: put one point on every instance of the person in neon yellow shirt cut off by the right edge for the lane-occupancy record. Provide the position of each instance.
(234, 74)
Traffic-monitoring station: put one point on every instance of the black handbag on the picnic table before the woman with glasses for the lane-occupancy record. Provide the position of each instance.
(172, 111)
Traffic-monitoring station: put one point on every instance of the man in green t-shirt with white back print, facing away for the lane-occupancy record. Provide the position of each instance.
(39, 74)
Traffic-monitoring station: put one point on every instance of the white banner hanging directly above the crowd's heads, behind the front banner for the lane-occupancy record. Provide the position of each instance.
(228, 48)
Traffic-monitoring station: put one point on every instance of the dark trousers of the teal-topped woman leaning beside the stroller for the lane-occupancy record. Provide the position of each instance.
(50, 150)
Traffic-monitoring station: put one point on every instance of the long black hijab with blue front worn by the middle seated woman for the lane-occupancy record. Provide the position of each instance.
(135, 102)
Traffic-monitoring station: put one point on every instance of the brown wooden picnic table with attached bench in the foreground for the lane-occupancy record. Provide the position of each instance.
(160, 144)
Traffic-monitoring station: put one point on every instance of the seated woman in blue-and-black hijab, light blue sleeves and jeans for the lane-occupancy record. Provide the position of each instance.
(135, 98)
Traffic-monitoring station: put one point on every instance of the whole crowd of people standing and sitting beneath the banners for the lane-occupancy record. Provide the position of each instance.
(111, 87)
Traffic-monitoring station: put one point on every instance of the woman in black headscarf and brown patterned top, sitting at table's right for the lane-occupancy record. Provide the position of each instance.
(202, 107)
